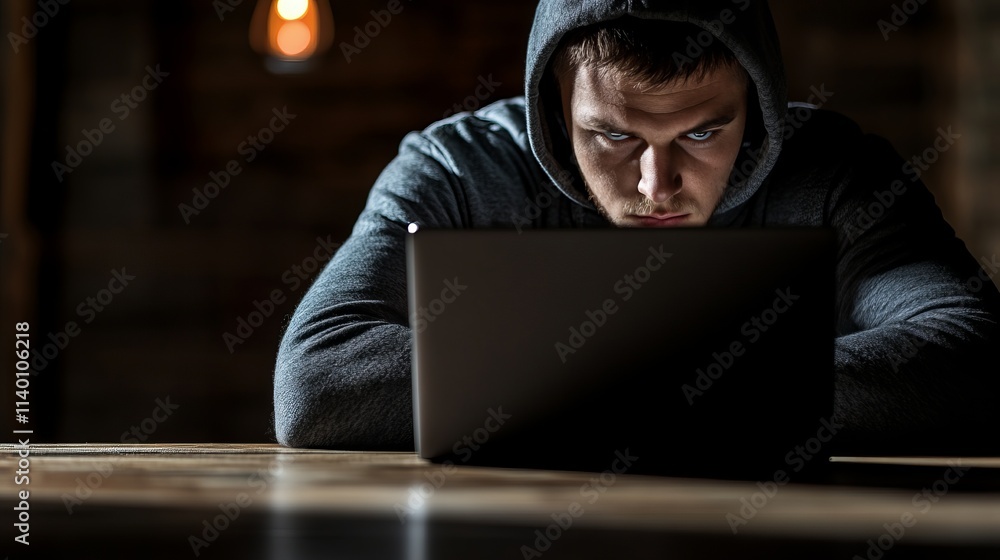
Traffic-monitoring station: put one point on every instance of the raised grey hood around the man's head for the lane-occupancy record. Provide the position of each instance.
(751, 36)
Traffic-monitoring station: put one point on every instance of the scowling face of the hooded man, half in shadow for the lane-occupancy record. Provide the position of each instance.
(655, 157)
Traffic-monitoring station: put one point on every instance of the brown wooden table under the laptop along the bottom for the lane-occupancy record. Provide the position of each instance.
(264, 501)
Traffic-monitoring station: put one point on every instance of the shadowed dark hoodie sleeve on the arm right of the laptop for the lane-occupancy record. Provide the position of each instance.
(918, 315)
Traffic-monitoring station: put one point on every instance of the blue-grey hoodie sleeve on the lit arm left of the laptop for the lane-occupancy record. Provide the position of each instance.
(342, 377)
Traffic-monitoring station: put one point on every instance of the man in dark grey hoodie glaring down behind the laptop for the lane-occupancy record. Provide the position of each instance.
(623, 125)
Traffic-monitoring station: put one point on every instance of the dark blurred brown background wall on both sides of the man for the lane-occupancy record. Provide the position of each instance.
(162, 336)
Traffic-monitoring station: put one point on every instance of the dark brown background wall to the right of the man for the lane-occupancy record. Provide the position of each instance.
(905, 69)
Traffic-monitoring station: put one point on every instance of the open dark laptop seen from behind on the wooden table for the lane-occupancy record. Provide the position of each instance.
(685, 352)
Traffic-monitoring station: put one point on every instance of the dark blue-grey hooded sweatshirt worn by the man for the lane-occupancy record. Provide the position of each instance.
(916, 313)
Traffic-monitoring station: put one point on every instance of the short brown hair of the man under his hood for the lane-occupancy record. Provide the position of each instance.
(650, 52)
